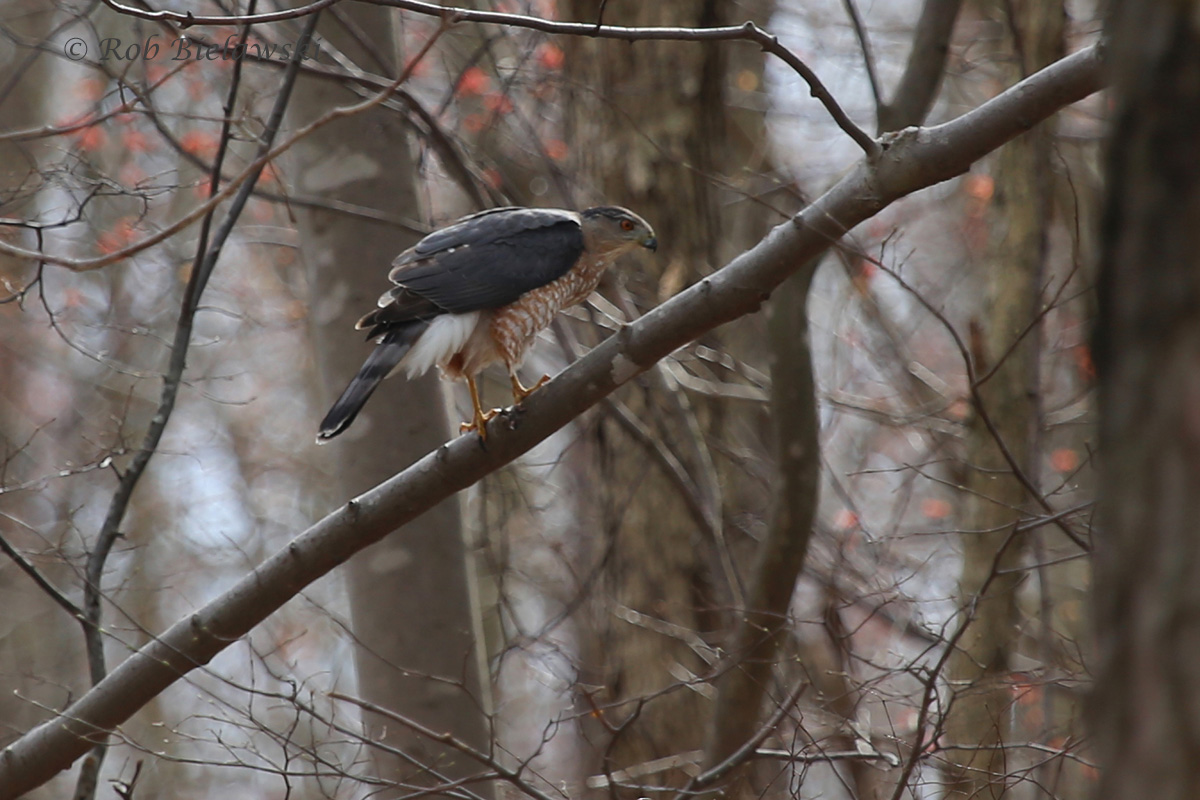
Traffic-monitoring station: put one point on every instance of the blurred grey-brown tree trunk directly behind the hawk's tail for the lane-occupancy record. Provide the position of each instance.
(411, 599)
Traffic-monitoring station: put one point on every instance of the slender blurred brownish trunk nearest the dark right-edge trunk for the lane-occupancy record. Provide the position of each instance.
(1005, 352)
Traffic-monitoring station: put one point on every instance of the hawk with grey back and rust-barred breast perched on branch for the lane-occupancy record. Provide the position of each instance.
(479, 292)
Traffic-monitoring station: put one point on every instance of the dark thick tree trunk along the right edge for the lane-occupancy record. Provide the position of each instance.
(1147, 705)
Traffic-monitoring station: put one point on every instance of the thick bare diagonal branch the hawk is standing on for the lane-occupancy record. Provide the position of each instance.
(910, 161)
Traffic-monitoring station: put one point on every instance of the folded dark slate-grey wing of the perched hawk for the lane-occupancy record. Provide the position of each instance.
(490, 260)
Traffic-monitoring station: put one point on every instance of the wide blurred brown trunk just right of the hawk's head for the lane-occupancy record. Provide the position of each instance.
(663, 129)
